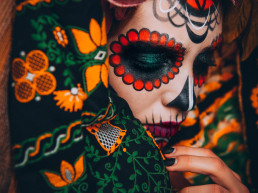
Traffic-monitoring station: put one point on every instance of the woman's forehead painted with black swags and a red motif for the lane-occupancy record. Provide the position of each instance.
(189, 23)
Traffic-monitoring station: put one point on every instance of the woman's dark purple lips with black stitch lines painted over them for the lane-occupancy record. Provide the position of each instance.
(163, 129)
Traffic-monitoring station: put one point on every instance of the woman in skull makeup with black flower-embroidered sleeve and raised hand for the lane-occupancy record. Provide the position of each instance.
(70, 133)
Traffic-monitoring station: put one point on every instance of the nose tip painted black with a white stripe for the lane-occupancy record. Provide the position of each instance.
(186, 100)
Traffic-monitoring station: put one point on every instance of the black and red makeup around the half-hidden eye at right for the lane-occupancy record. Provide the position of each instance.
(201, 65)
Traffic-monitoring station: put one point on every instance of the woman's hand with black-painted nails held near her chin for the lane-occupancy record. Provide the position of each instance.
(203, 161)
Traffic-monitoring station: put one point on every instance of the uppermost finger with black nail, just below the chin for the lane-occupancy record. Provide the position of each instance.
(184, 150)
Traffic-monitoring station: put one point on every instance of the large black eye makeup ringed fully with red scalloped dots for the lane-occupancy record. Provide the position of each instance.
(146, 59)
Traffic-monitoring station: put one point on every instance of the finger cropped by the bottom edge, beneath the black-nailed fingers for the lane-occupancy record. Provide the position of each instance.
(211, 188)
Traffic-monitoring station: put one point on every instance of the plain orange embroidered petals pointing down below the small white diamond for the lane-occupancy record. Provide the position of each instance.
(95, 74)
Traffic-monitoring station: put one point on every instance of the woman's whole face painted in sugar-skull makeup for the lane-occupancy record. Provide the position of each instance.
(160, 57)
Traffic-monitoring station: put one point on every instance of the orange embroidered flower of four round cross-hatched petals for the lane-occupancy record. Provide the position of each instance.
(31, 76)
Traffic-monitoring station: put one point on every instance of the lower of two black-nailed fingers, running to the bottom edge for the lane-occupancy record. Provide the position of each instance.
(212, 166)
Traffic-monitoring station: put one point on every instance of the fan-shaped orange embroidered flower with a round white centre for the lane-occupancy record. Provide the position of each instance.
(71, 100)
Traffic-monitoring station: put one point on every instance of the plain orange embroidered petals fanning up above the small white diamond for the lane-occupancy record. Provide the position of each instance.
(88, 42)
